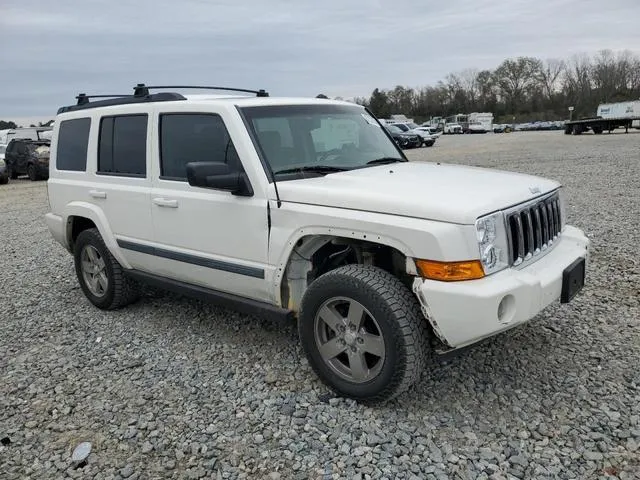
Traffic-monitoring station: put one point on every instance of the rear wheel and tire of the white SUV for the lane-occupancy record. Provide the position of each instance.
(101, 277)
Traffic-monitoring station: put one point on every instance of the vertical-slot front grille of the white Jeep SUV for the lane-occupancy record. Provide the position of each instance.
(532, 228)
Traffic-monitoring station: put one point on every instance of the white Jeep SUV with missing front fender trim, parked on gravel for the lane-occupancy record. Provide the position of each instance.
(306, 208)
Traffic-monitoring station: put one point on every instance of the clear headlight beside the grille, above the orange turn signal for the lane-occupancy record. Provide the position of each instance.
(491, 235)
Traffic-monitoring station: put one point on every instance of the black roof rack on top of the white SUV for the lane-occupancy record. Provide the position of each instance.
(141, 94)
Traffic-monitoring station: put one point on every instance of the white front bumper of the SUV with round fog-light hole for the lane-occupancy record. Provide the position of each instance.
(463, 313)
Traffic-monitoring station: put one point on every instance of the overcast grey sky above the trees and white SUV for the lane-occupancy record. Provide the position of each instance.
(51, 50)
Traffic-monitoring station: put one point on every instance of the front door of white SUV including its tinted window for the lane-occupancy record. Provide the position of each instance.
(203, 236)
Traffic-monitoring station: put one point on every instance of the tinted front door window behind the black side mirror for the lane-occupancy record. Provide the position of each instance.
(193, 137)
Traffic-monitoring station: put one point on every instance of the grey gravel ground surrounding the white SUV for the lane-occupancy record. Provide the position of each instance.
(173, 388)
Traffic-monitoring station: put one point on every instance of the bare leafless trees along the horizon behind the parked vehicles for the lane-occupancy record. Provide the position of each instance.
(520, 89)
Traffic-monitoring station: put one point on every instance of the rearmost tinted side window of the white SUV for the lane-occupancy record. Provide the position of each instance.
(73, 138)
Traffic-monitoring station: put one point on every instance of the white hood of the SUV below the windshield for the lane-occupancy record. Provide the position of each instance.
(448, 193)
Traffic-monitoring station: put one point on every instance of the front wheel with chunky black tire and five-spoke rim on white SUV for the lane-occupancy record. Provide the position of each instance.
(363, 333)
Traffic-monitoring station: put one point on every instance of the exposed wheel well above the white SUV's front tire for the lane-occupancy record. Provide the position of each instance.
(315, 255)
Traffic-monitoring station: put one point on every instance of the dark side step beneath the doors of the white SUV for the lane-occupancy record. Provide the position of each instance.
(224, 299)
